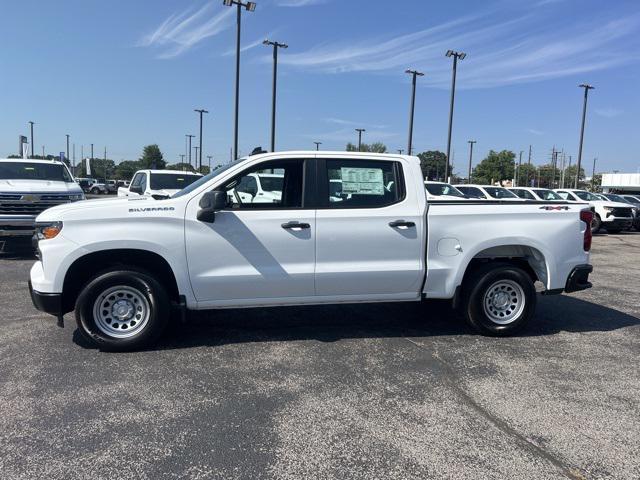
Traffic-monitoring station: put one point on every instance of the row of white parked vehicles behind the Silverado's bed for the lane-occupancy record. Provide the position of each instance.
(612, 212)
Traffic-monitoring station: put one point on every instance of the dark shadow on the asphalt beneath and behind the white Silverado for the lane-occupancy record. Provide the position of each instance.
(386, 320)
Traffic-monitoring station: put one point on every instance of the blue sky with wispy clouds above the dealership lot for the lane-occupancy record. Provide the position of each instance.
(123, 74)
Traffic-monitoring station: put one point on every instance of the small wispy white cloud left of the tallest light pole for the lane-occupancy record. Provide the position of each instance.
(180, 32)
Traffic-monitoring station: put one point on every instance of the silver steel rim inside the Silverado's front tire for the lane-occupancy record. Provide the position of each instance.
(121, 311)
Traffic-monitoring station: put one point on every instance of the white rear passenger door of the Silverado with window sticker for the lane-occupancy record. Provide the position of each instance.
(369, 231)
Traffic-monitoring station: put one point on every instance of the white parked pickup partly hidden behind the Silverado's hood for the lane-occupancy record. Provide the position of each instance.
(162, 183)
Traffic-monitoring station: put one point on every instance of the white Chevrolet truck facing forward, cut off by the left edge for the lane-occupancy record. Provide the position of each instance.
(27, 188)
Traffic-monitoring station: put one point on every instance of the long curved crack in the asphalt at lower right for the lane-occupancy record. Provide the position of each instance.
(499, 423)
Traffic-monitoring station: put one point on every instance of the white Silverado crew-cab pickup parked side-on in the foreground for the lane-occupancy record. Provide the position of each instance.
(122, 264)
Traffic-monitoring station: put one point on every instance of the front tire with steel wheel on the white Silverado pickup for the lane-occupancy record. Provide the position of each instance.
(104, 332)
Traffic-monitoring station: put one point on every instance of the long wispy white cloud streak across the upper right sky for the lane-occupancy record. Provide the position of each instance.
(498, 53)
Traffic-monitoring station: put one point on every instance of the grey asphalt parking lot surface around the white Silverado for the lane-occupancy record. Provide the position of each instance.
(384, 391)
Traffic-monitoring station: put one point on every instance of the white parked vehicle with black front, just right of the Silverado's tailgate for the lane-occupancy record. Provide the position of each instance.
(613, 216)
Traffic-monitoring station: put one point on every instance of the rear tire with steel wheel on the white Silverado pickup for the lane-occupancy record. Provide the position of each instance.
(503, 277)
